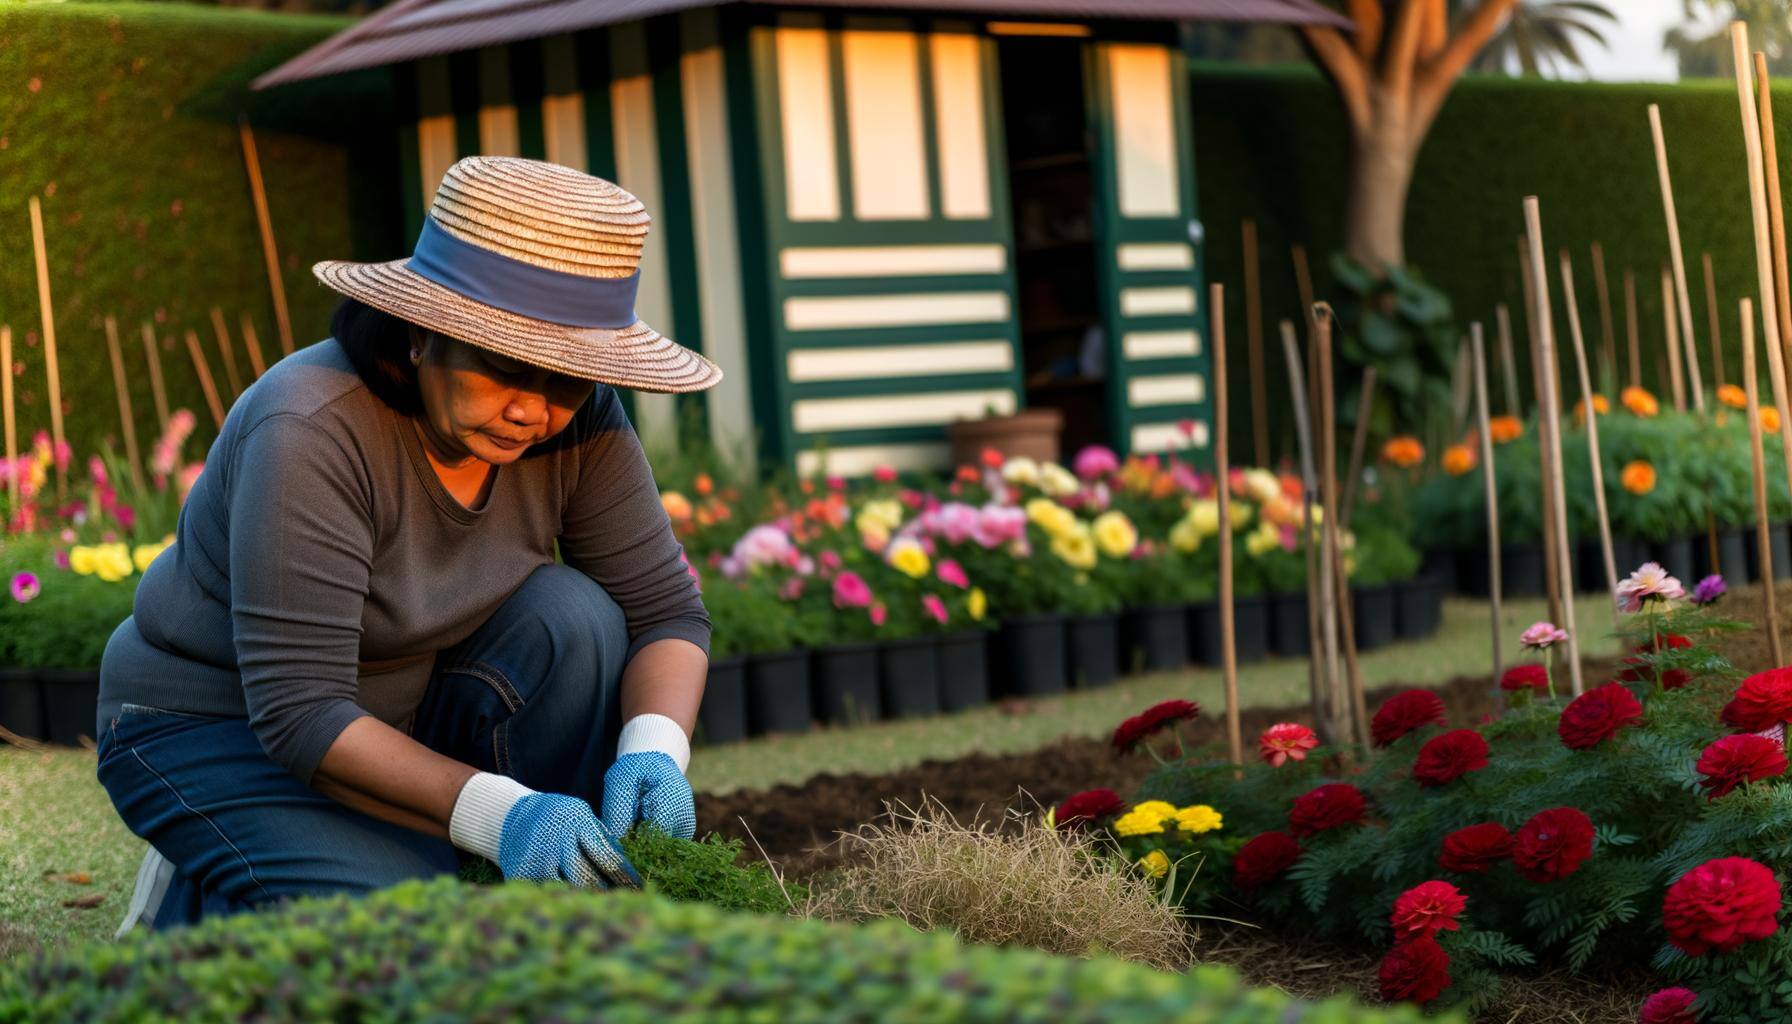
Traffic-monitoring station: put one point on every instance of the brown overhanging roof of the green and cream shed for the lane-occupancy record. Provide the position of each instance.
(411, 30)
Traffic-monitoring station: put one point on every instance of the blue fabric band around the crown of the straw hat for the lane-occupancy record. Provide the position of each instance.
(521, 288)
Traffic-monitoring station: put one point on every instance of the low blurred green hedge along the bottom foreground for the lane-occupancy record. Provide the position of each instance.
(444, 951)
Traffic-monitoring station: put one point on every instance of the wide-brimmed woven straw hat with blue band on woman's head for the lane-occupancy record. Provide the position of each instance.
(538, 263)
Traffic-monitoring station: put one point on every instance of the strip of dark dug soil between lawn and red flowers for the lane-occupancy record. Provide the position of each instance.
(797, 826)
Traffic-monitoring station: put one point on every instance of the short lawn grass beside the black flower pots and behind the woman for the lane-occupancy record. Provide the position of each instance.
(58, 820)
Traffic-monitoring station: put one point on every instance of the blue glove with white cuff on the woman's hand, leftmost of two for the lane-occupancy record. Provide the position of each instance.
(540, 837)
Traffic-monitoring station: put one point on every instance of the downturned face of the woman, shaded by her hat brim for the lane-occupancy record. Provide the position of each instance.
(488, 406)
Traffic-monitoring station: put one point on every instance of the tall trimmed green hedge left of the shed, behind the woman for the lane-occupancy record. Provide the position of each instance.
(123, 121)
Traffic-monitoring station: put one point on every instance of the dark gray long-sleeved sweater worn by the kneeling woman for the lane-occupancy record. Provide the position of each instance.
(322, 564)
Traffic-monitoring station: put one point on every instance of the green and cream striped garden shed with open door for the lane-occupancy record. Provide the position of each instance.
(877, 218)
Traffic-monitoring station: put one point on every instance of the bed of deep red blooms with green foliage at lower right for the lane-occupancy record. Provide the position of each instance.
(1642, 822)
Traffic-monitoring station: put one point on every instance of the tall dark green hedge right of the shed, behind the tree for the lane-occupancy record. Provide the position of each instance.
(1271, 144)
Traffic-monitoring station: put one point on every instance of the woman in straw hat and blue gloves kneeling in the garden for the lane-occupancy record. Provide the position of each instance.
(363, 655)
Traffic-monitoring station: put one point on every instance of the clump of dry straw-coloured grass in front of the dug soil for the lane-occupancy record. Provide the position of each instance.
(1031, 887)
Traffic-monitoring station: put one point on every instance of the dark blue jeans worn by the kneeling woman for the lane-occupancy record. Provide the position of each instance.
(531, 695)
